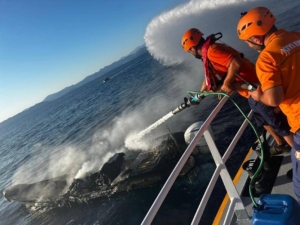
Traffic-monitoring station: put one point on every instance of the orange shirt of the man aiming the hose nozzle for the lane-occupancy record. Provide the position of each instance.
(221, 55)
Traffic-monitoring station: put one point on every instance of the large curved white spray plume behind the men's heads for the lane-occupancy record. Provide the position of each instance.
(163, 33)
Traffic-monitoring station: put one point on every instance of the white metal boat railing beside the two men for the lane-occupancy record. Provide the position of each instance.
(236, 204)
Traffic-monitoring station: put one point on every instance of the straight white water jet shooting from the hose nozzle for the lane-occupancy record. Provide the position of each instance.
(134, 142)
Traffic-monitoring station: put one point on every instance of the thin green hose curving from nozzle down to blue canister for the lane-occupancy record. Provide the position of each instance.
(255, 131)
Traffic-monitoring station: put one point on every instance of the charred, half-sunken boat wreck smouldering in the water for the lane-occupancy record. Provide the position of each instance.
(118, 175)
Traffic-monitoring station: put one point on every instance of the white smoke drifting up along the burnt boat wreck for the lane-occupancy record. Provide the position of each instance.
(104, 144)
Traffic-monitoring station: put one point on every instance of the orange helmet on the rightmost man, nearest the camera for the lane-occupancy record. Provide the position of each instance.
(256, 22)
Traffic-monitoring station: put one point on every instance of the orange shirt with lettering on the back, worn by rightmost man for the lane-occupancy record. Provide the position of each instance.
(279, 64)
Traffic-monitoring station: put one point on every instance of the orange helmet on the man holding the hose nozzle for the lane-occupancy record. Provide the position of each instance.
(191, 38)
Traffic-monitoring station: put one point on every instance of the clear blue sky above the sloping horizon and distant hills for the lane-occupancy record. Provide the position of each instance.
(48, 45)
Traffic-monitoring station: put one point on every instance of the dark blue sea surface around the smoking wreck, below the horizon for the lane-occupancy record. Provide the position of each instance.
(88, 126)
